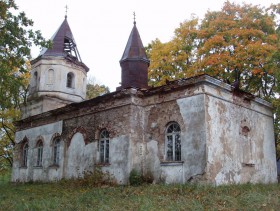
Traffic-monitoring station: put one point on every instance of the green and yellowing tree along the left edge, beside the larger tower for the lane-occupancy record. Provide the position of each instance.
(16, 39)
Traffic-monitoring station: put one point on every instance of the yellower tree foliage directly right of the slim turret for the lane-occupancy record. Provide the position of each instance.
(174, 59)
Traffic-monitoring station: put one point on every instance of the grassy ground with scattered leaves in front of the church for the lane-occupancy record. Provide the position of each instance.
(76, 196)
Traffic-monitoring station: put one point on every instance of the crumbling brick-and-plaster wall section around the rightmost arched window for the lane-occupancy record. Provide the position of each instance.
(186, 107)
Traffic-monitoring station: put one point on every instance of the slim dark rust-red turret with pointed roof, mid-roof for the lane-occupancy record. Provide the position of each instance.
(134, 62)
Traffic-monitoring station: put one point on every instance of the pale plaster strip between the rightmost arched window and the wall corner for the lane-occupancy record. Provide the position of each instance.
(193, 136)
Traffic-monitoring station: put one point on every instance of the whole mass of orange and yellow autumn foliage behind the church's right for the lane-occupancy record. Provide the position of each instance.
(239, 44)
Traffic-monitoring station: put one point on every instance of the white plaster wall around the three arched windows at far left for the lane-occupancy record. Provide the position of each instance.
(31, 172)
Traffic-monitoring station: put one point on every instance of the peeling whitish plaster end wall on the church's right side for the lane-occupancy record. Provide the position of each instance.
(233, 157)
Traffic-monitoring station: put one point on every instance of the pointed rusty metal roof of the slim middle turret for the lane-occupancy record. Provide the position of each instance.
(134, 49)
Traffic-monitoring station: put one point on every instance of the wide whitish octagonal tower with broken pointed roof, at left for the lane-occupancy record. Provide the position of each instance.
(58, 75)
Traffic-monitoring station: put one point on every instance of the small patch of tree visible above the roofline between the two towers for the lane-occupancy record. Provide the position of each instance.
(95, 90)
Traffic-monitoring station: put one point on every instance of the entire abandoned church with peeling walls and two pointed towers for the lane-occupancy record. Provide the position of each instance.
(196, 129)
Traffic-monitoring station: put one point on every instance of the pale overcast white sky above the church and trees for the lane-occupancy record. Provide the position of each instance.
(101, 28)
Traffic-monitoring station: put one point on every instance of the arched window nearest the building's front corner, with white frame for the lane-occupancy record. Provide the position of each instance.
(173, 142)
